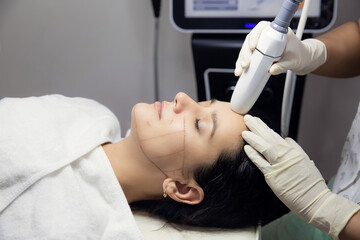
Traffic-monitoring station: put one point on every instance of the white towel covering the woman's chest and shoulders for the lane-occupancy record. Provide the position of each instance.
(55, 180)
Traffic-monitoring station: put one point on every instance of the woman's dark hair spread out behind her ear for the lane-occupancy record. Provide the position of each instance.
(236, 195)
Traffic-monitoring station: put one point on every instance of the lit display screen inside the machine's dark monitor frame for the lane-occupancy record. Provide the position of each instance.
(241, 8)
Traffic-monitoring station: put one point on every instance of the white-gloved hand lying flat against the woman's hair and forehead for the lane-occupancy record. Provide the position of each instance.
(295, 180)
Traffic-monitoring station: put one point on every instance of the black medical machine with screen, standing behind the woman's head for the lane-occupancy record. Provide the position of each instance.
(218, 31)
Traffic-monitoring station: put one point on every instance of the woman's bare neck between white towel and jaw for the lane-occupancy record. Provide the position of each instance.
(138, 177)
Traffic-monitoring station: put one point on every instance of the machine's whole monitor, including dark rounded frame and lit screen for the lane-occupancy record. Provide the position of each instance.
(240, 16)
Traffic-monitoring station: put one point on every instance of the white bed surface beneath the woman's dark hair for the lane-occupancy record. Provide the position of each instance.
(154, 228)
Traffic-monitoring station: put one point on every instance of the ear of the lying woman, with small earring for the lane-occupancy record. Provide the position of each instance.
(189, 193)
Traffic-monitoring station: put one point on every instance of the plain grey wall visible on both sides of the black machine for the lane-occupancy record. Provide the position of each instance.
(103, 50)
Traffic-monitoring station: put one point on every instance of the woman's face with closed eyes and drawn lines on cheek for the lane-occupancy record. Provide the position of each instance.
(181, 135)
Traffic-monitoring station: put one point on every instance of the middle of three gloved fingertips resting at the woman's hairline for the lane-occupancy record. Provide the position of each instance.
(262, 146)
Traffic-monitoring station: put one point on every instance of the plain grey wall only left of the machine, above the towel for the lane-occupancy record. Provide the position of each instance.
(96, 49)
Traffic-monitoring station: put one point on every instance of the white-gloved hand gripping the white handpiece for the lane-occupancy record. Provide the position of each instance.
(302, 57)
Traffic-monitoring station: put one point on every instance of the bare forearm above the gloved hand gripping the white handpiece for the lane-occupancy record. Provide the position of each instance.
(343, 51)
